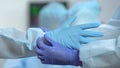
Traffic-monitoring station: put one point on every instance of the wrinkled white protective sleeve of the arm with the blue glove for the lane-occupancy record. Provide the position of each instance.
(15, 43)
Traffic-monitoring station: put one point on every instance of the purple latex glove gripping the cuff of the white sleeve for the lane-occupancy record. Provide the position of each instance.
(55, 53)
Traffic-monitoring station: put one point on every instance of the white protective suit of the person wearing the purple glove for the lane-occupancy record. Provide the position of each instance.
(104, 53)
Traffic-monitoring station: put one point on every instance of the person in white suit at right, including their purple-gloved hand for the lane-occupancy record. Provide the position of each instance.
(103, 53)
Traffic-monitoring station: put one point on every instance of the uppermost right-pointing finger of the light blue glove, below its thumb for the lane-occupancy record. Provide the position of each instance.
(89, 25)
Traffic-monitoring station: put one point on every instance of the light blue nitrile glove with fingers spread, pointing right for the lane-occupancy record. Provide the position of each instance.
(73, 36)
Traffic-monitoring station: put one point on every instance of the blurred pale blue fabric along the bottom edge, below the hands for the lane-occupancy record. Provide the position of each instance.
(31, 62)
